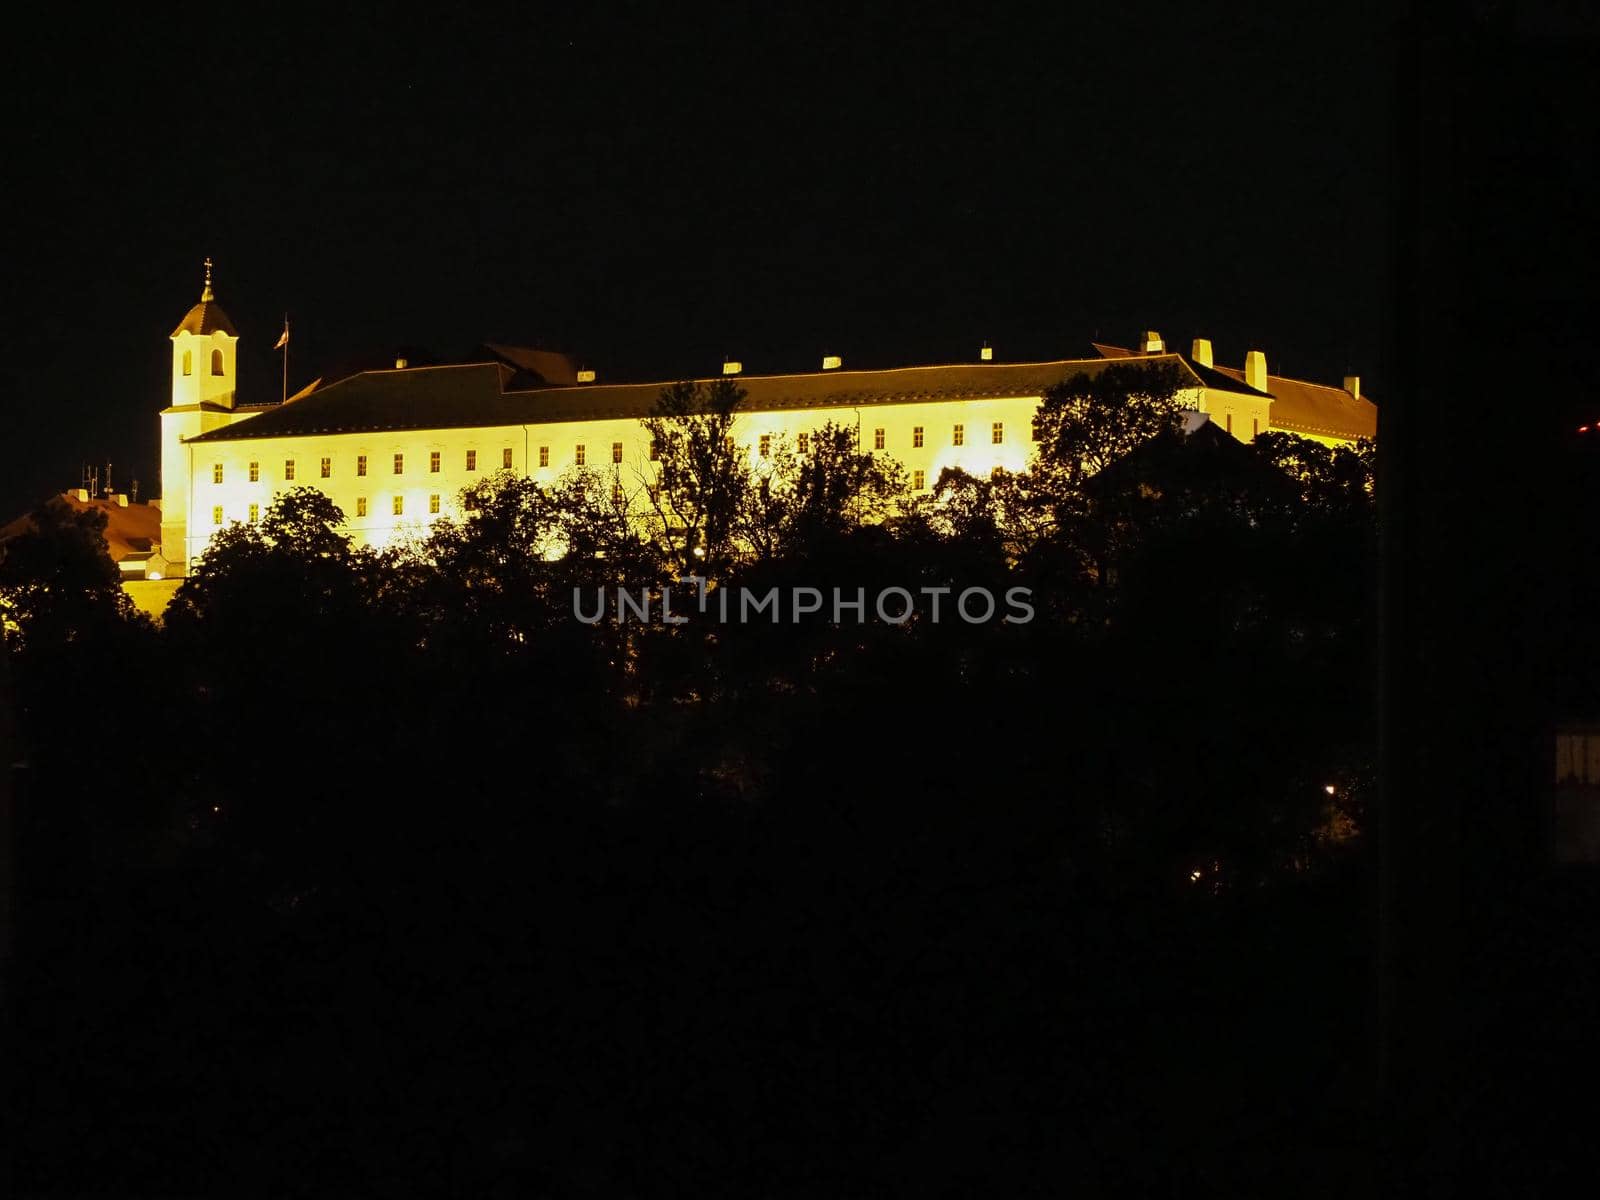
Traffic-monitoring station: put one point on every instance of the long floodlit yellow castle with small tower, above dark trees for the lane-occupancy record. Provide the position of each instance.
(394, 449)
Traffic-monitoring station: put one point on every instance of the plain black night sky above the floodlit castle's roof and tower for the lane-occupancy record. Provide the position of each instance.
(658, 191)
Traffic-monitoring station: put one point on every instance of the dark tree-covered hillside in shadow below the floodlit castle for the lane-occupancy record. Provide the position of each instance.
(450, 892)
